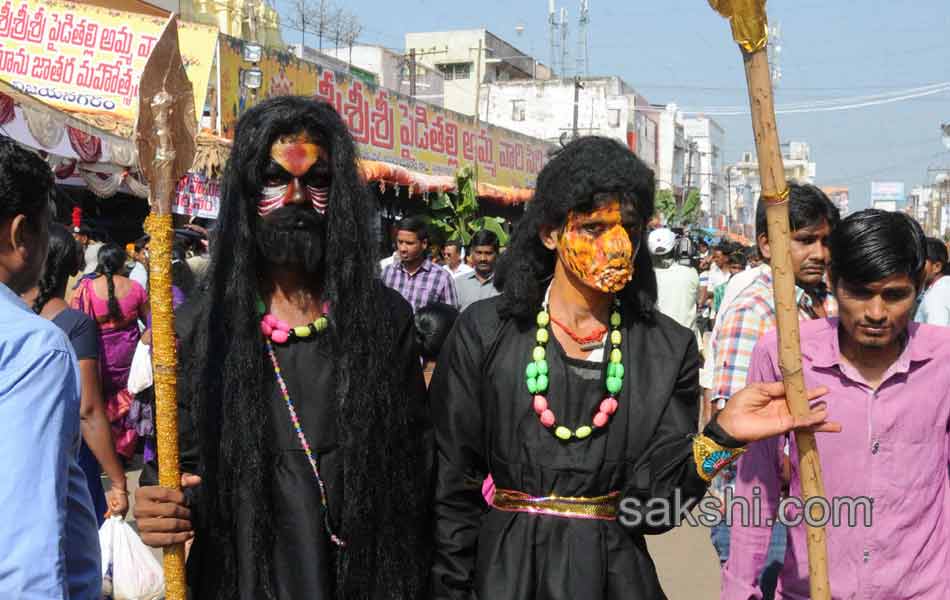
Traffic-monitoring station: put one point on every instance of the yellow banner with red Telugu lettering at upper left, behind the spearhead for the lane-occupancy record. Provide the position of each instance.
(87, 58)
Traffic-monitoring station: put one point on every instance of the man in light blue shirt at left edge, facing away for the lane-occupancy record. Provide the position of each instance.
(49, 538)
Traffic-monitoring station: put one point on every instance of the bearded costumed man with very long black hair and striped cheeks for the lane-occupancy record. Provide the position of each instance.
(303, 418)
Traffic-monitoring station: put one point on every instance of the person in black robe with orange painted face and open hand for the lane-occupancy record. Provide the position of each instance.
(579, 399)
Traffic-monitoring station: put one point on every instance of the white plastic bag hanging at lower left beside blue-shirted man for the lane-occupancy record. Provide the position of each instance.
(129, 569)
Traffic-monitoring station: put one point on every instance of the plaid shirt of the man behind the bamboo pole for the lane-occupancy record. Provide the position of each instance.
(744, 321)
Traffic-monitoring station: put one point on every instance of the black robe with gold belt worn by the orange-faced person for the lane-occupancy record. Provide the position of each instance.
(485, 423)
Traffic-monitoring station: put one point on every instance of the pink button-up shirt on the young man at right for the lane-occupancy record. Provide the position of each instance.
(894, 448)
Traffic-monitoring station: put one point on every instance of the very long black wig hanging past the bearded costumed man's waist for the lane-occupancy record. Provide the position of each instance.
(385, 509)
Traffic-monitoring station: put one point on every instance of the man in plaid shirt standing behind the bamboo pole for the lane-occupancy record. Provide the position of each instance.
(812, 217)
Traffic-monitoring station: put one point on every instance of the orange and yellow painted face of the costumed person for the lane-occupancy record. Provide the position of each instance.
(596, 247)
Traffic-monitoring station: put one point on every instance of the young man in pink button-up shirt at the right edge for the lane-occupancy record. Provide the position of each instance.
(885, 475)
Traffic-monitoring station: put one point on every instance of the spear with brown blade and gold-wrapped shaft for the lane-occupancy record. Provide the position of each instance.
(165, 137)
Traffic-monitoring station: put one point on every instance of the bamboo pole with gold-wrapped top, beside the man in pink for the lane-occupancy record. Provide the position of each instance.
(750, 30)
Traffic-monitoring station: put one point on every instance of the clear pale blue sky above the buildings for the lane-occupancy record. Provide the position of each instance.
(681, 51)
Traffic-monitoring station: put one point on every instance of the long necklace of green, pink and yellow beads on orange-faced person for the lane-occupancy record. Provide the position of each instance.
(536, 379)
